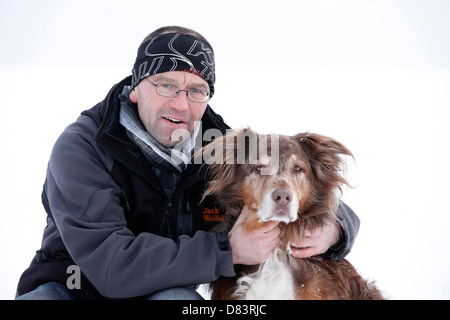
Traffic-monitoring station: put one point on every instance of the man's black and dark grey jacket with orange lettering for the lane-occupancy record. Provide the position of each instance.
(108, 214)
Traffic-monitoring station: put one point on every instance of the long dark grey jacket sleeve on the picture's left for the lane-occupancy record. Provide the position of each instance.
(85, 204)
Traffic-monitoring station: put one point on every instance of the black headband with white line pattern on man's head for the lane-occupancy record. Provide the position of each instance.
(175, 52)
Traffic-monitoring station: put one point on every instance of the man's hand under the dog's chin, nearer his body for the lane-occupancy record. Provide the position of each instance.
(252, 246)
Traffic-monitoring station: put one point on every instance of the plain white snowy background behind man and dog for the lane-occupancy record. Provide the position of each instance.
(374, 75)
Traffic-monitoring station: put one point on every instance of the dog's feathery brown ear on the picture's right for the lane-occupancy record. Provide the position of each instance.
(327, 159)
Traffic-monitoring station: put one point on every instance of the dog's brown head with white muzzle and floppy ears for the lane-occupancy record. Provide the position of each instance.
(280, 178)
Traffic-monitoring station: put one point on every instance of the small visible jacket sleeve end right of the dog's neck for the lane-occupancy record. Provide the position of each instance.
(349, 230)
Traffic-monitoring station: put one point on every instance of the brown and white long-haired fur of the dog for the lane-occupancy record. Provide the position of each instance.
(301, 193)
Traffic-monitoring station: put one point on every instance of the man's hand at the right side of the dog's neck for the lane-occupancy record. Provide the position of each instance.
(317, 241)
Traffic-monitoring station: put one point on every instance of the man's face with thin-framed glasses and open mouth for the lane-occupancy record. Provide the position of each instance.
(161, 115)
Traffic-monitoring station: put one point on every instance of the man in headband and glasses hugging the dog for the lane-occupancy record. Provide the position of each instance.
(125, 212)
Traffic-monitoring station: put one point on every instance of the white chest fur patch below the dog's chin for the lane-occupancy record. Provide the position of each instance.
(273, 281)
